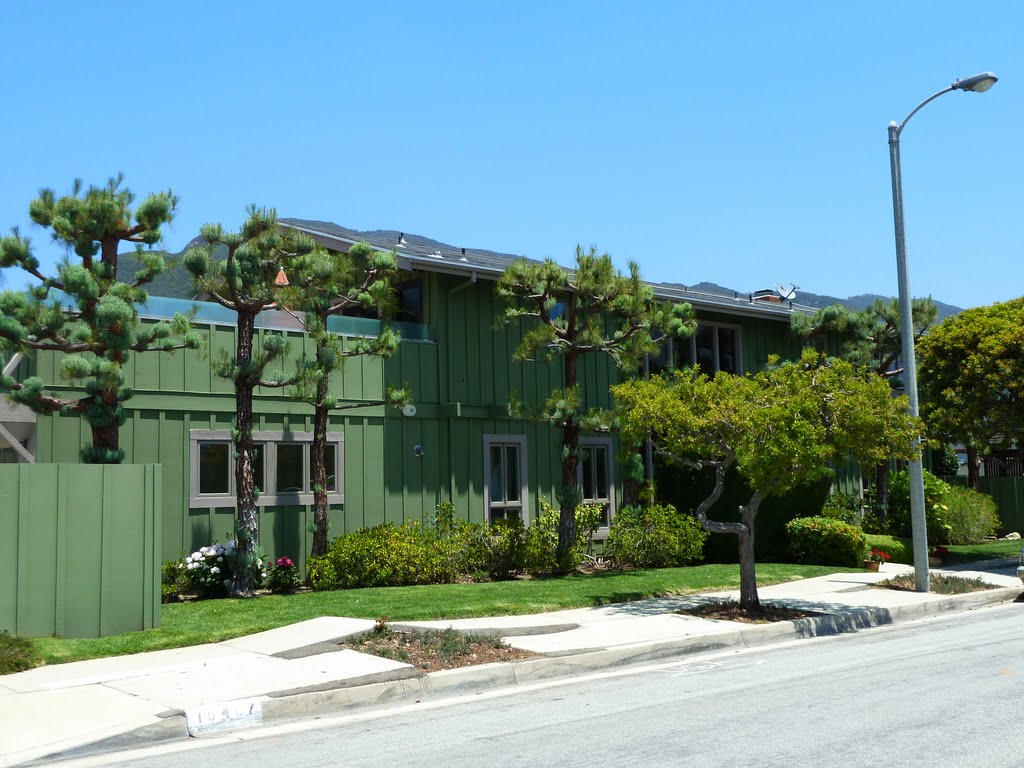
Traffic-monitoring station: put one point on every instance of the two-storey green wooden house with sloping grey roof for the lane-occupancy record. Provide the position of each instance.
(459, 444)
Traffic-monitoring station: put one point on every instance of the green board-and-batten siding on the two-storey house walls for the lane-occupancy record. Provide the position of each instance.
(462, 374)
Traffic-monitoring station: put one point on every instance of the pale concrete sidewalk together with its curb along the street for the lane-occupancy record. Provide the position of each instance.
(297, 672)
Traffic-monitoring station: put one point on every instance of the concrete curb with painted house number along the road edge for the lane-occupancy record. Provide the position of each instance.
(412, 686)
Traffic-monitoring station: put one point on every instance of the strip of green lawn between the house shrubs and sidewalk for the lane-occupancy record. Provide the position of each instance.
(214, 621)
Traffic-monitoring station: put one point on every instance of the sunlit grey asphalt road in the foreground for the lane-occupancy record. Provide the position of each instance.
(940, 693)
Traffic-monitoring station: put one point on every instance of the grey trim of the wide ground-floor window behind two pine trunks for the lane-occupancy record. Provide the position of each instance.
(270, 441)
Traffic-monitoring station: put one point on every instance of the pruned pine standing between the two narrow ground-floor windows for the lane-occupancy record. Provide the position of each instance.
(591, 310)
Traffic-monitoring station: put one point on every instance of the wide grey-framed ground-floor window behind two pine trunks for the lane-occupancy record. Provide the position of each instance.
(282, 468)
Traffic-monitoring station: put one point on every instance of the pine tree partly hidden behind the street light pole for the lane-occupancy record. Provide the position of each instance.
(870, 337)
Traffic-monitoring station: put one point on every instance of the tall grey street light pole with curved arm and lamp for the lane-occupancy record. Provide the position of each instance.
(977, 84)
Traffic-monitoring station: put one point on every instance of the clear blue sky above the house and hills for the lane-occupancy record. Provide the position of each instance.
(743, 144)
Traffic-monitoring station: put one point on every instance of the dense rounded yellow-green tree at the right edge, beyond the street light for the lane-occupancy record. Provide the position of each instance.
(972, 379)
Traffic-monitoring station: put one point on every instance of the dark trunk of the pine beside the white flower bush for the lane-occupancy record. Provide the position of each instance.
(245, 489)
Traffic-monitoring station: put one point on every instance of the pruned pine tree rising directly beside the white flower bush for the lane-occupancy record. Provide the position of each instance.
(246, 282)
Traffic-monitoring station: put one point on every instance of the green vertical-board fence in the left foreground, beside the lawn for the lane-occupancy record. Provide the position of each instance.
(79, 549)
